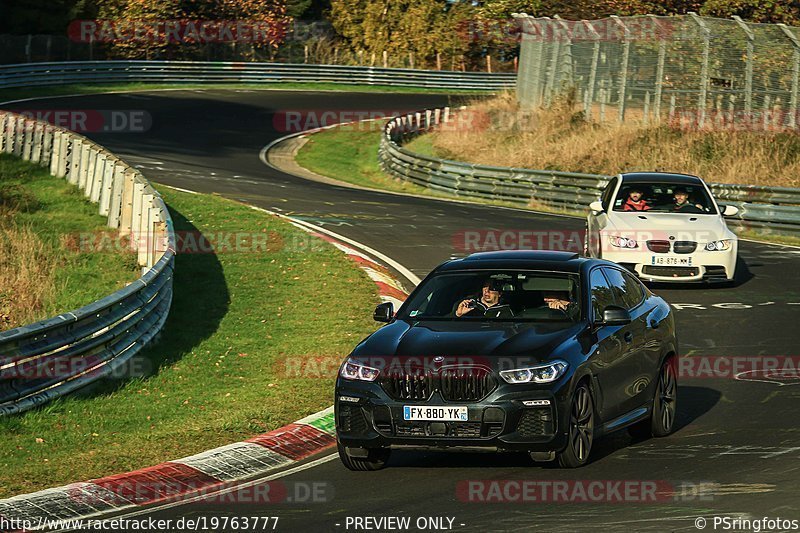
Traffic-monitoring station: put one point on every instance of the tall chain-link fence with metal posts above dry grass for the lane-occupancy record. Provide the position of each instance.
(695, 72)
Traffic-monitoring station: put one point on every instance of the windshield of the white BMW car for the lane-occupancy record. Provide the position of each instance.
(664, 198)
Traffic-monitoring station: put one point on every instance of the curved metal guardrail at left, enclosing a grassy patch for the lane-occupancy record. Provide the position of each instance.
(50, 358)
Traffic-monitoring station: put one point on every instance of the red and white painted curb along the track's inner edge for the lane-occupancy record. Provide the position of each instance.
(214, 470)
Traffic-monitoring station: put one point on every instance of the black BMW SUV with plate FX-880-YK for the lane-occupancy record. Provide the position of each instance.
(532, 351)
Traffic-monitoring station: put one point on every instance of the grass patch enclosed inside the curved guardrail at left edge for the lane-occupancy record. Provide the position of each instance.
(44, 270)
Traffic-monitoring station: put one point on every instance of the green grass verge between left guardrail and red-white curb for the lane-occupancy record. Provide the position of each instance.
(228, 365)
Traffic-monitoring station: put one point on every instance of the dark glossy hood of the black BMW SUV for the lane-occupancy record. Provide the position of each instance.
(468, 338)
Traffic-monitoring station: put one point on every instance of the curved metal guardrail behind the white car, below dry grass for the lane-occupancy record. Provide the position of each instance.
(767, 210)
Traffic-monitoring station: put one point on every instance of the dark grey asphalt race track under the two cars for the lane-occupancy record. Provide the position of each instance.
(735, 453)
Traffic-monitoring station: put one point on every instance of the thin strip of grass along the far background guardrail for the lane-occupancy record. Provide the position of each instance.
(94, 88)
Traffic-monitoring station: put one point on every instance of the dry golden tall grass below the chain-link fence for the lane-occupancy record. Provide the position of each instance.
(497, 132)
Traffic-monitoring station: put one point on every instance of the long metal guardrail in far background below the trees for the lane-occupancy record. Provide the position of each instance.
(43, 74)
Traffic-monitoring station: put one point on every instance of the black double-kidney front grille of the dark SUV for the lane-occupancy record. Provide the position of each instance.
(458, 384)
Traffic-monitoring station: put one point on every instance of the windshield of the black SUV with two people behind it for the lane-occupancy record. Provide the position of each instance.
(496, 295)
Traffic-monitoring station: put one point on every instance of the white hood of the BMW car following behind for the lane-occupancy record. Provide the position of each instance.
(701, 228)
